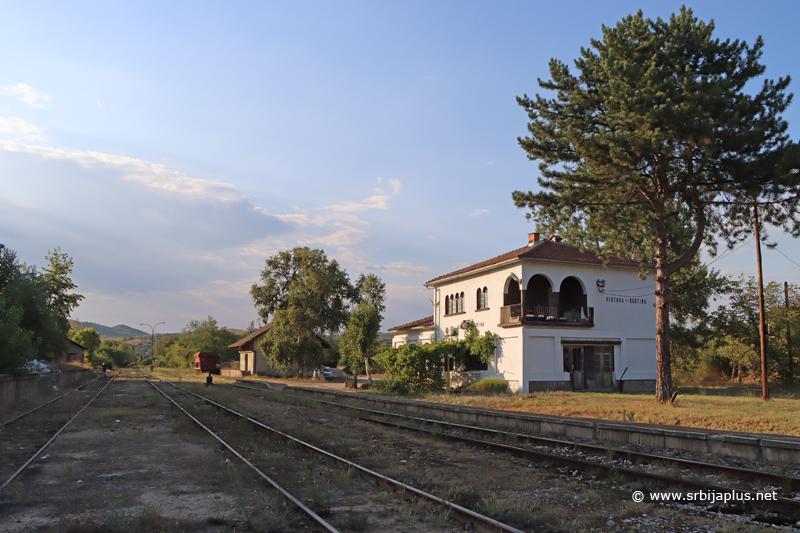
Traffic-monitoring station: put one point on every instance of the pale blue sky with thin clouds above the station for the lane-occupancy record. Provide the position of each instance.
(169, 148)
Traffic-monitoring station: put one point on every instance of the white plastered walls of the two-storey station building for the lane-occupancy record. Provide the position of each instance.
(623, 313)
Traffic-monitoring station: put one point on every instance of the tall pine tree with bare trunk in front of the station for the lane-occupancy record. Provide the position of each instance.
(656, 124)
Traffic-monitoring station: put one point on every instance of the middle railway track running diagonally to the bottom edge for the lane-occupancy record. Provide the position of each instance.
(475, 520)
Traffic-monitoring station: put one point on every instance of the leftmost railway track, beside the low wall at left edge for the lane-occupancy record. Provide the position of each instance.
(16, 441)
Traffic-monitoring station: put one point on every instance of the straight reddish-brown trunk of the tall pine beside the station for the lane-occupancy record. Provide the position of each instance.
(663, 363)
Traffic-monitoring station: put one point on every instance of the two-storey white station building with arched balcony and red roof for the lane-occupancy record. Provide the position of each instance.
(567, 322)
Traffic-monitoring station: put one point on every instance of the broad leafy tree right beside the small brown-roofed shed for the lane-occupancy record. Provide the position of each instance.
(307, 296)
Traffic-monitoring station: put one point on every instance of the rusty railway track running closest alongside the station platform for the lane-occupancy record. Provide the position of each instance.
(616, 464)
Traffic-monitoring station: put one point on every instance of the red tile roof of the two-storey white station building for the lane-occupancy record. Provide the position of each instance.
(545, 251)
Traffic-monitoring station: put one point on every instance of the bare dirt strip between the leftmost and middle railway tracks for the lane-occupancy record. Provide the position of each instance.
(127, 465)
